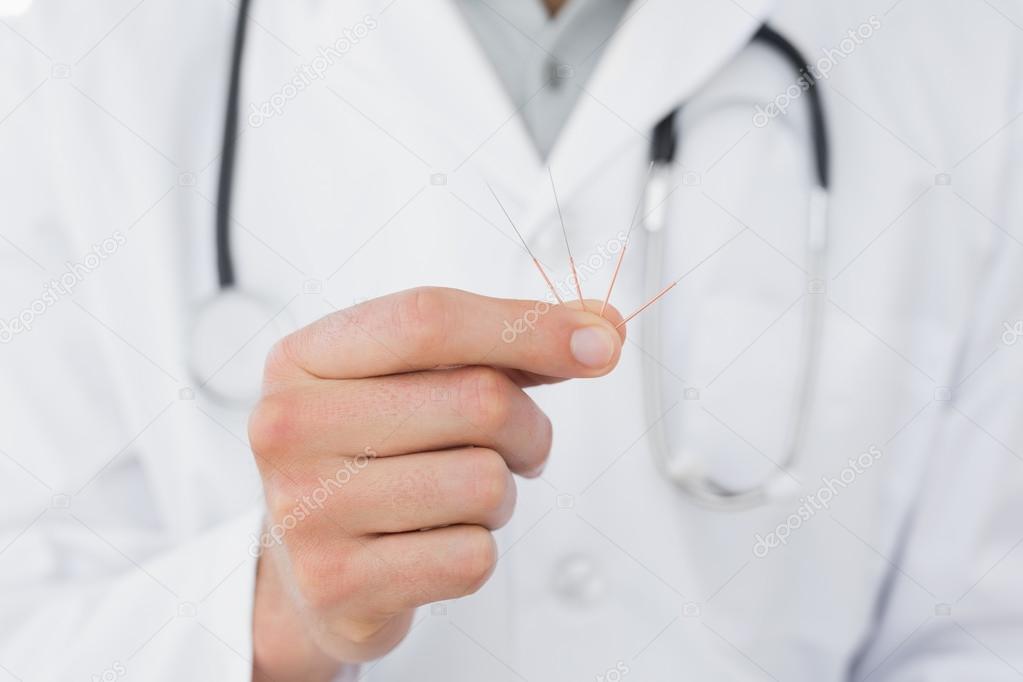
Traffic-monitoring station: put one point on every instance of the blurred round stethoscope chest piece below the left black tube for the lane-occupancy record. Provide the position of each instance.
(232, 335)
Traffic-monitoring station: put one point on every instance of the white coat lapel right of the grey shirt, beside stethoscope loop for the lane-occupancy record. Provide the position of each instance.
(660, 56)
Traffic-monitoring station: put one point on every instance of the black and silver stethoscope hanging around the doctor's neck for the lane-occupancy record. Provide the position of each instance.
(224, 313)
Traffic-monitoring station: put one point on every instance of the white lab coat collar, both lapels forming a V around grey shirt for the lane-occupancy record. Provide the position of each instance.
(662, 53)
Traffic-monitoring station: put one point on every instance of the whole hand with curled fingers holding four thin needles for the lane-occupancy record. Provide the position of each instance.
(387, 437)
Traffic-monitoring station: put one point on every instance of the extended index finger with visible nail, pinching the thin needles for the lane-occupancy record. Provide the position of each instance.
(430, 328)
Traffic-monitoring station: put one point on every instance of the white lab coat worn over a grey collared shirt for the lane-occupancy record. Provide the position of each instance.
(130, 502)
